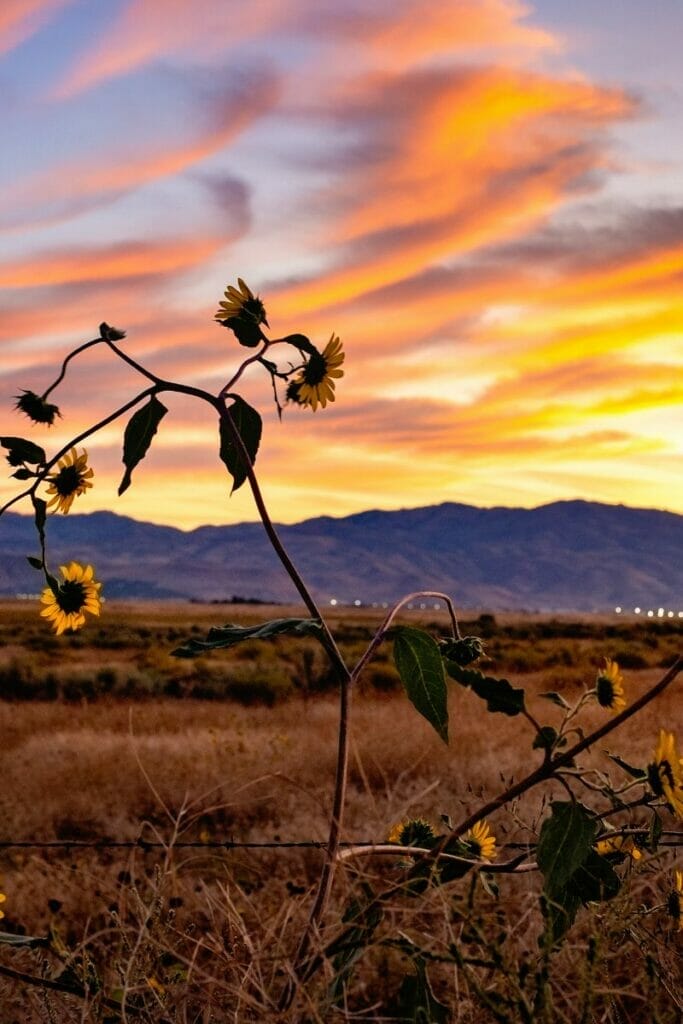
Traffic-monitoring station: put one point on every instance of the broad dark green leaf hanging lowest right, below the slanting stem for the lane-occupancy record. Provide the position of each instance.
(566, 841)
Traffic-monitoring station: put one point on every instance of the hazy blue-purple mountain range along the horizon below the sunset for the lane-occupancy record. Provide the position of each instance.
(569, 556)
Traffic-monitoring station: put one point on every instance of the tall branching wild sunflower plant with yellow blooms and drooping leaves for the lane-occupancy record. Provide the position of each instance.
(584, 845)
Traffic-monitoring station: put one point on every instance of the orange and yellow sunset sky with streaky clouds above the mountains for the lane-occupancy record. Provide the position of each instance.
(483, 198)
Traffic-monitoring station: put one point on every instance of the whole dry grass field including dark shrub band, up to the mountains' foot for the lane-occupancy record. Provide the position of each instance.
(105, 737)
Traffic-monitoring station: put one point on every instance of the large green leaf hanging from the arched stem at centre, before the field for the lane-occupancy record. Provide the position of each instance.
(421, 670)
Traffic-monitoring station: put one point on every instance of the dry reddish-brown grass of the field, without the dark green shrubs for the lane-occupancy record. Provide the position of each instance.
(217, 929)
